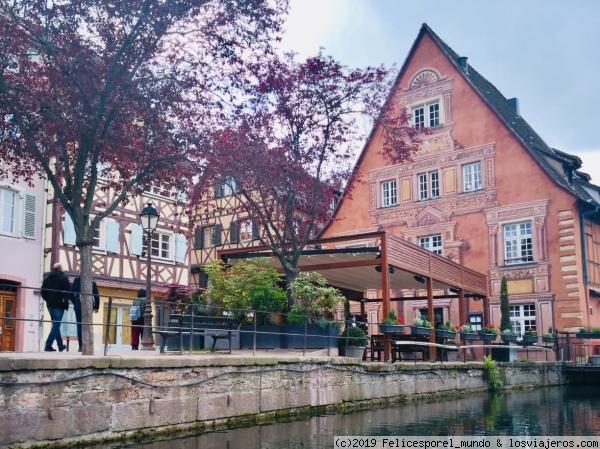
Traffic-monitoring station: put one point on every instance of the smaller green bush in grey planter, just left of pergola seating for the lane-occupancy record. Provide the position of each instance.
(312, 295)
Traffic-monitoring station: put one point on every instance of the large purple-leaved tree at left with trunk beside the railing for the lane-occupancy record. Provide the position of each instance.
(93, 89)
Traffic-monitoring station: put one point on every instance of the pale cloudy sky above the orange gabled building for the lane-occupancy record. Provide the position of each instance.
(544, 52)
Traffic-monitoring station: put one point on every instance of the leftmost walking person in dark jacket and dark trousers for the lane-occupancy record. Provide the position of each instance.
(54, 288)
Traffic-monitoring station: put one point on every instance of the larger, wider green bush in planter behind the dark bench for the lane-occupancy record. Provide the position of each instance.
(245, 286)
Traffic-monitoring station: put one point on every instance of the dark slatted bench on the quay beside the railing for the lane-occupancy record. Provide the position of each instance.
(218, 328)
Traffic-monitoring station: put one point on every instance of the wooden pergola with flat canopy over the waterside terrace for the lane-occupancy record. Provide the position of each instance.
(350, 263)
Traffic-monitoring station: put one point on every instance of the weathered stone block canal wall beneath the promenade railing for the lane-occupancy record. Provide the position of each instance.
(63, 401)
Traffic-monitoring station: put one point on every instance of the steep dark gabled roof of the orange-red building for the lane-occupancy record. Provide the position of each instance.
(506, 113)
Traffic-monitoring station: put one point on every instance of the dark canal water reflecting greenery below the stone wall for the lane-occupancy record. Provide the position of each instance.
(549, 411)
